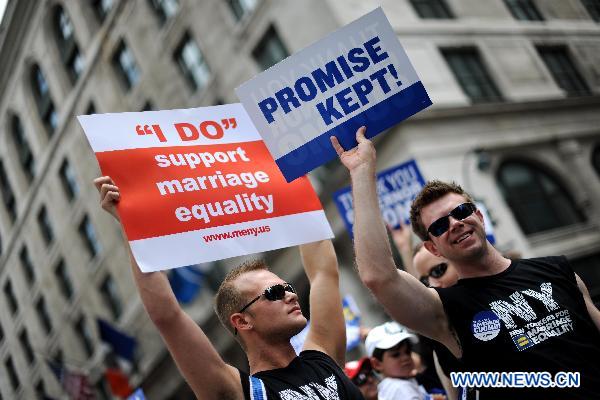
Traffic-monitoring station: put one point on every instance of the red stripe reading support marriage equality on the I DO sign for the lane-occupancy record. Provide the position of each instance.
(191, 188)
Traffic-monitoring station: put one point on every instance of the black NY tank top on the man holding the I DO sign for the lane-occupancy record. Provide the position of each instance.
(311, 375)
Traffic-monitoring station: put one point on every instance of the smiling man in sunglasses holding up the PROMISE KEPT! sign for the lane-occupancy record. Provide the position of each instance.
(532, 315)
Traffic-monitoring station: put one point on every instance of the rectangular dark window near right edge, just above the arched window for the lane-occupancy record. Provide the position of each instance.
(563, 70)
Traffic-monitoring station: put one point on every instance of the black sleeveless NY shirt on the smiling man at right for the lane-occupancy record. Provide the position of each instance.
(531, 317)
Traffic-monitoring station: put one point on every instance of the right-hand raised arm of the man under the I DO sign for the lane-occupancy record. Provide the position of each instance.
(327, 331)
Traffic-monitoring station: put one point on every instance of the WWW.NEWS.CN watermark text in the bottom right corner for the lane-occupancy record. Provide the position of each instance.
(515, 379)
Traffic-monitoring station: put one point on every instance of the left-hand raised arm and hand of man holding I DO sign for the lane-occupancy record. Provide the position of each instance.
(202, 367)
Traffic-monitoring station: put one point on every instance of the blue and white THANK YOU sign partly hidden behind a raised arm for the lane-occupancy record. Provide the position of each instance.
(396, 189)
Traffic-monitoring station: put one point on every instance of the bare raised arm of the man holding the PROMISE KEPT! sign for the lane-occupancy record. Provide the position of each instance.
(403, 296)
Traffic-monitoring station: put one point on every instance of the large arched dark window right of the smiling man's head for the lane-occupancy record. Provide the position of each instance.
(538, 201)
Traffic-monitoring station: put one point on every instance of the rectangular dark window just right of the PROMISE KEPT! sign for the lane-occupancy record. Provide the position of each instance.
(471, 74)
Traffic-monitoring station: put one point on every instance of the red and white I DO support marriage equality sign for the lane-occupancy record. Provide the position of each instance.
(199, 185)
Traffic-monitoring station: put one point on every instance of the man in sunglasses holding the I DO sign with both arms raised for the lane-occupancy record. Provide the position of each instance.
(263, 313)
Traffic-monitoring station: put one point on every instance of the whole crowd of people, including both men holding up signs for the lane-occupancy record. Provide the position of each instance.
(460, 304)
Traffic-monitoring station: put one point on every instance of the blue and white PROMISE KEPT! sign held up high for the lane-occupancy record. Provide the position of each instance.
(357, 75)
